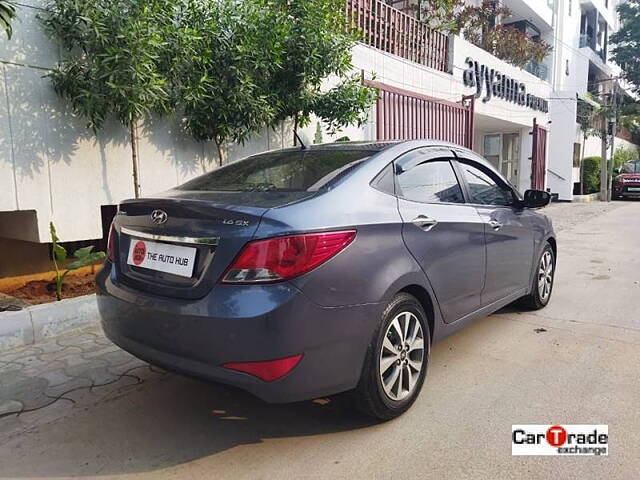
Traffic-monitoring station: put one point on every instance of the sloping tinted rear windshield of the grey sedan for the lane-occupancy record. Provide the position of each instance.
(284, 171)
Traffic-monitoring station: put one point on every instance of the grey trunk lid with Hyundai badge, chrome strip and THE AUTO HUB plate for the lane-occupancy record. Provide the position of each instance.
(203, 226)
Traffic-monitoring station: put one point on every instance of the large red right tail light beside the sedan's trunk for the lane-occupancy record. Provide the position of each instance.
(282, 258)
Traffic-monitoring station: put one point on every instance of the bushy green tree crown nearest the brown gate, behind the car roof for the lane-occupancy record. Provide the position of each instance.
(240, 66)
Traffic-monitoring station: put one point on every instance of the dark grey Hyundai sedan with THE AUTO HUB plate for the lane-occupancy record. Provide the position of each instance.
(301, 273)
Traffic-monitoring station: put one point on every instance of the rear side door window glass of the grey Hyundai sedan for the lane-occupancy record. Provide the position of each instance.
(429, 182)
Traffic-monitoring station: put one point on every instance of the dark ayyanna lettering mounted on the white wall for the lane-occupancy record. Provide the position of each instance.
(496, 84)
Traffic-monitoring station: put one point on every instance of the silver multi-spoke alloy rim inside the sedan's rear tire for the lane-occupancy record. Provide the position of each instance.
(402, 356)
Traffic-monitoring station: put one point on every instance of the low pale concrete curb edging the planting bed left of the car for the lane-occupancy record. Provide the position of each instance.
(33, 324)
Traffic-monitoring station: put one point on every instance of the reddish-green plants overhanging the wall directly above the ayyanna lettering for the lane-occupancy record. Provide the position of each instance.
(506, 43)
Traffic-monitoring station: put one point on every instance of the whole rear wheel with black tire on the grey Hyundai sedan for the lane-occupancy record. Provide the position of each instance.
(388, 394)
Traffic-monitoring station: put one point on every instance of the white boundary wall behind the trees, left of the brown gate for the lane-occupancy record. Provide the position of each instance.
(52, 164)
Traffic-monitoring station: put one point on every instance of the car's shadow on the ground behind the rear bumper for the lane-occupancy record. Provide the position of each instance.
(165, 423)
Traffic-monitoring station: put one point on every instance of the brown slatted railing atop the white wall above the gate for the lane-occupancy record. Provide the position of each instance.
(388, 29)
